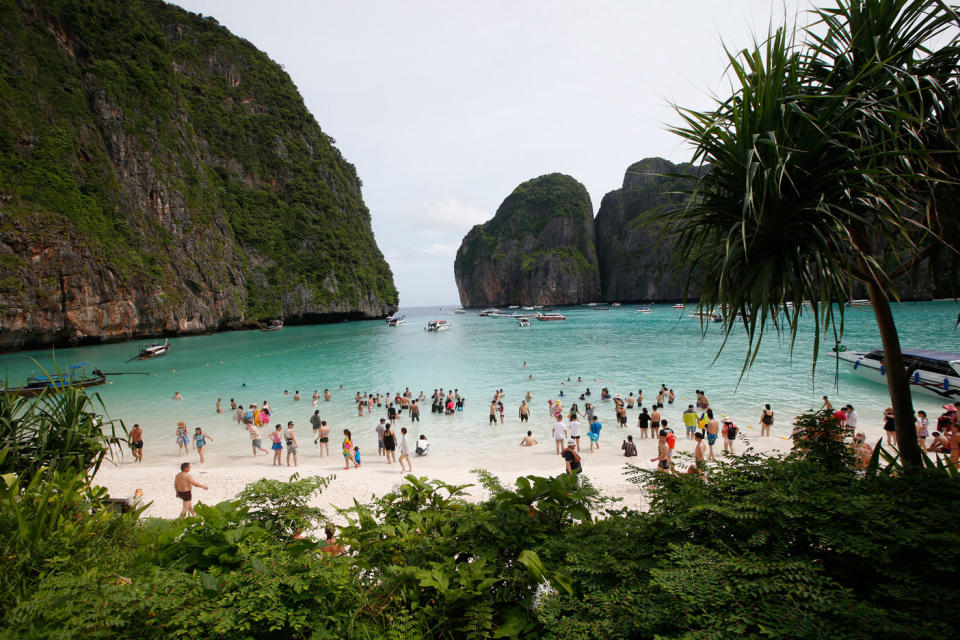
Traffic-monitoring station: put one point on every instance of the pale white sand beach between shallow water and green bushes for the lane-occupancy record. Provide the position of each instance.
(227, 476)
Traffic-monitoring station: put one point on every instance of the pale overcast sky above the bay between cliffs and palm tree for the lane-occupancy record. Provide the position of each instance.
(445, 106)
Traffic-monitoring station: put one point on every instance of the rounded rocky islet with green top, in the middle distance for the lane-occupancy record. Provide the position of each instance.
(537, 249)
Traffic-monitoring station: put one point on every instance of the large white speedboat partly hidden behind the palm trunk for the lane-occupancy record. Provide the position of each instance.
(931, 372)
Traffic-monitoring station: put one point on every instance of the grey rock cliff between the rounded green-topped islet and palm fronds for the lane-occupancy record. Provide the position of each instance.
(635, 252)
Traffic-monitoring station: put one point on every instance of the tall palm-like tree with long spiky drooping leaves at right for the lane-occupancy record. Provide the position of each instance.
(828, 166)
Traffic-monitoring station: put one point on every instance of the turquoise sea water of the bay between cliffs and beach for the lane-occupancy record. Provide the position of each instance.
(616, 348)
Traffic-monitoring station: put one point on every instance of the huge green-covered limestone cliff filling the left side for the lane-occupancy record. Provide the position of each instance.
(159, 175)
